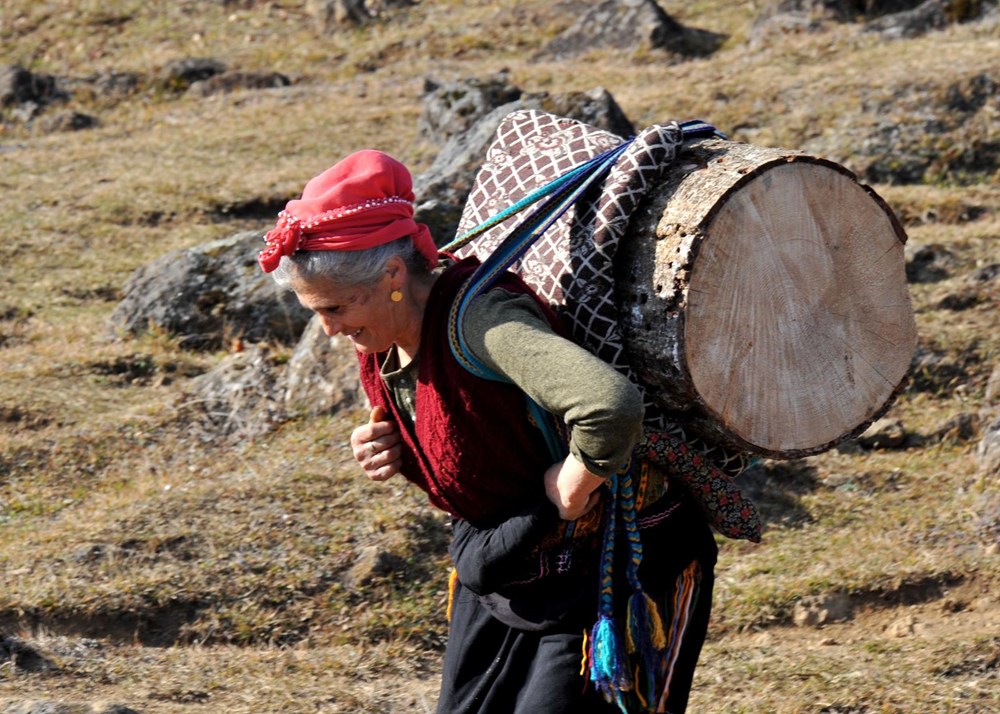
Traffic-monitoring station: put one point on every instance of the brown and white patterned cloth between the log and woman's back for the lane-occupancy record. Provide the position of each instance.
(572, 267)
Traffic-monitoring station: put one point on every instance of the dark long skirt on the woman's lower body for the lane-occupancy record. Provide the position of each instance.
(491, 668)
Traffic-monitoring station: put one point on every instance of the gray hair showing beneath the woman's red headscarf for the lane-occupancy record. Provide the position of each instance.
(348, 268)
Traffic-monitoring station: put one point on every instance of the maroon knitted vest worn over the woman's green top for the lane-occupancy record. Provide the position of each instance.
(472, 448)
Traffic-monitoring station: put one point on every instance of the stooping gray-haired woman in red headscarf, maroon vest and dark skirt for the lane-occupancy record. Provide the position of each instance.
(526, 523)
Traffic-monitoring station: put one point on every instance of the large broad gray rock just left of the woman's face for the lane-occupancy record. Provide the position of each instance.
(210, 295)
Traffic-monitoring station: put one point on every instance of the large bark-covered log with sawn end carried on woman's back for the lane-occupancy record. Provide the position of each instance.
(763, 292)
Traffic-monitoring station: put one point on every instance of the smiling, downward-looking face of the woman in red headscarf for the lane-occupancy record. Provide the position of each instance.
(364, 314)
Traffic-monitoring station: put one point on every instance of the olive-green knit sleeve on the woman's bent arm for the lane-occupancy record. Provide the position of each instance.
(601, 408)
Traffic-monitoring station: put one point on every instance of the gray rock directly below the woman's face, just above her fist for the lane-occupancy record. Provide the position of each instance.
(322, 375)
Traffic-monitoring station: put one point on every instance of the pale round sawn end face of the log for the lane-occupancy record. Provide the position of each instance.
(798, 325)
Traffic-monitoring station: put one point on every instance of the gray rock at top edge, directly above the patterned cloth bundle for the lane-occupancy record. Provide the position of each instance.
(637, 26)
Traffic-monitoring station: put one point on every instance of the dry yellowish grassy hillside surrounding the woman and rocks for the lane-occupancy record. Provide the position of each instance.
(146, 567)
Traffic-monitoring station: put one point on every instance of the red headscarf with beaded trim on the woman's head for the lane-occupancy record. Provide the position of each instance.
(361, 202)
